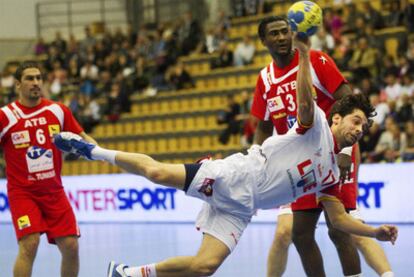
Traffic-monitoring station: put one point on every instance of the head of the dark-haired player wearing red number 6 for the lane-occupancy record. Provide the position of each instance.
(29, 80)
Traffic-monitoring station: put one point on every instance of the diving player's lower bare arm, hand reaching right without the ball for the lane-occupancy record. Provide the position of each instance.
(344, 222)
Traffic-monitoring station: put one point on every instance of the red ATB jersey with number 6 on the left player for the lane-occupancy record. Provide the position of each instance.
(33, 163)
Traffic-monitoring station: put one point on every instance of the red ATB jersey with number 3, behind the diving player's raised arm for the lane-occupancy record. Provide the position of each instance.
(275, 95)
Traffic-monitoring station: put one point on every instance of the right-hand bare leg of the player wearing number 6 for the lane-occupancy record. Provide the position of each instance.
(69, 248)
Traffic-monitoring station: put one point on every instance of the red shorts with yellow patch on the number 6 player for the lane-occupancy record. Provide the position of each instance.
(48, 213)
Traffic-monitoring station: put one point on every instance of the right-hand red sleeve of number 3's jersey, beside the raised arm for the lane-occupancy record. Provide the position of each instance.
(328, 73)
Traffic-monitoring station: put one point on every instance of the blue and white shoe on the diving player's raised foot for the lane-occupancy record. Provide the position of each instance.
(73, 143)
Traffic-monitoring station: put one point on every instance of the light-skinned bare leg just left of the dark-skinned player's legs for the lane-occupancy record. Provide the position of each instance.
(278, 254)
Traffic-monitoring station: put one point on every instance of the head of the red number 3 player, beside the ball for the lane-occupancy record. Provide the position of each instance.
(276, 35)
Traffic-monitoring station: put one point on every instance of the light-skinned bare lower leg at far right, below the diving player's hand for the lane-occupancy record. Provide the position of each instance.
(373, 253)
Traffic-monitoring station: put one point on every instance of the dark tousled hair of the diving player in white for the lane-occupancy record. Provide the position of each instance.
(347, 104)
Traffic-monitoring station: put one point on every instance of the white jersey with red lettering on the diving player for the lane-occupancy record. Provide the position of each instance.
(301, 162)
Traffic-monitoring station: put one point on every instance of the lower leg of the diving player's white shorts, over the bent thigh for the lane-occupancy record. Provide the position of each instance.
(222, 225)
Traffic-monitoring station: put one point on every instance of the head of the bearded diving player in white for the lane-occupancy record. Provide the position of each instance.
(350, 118)
